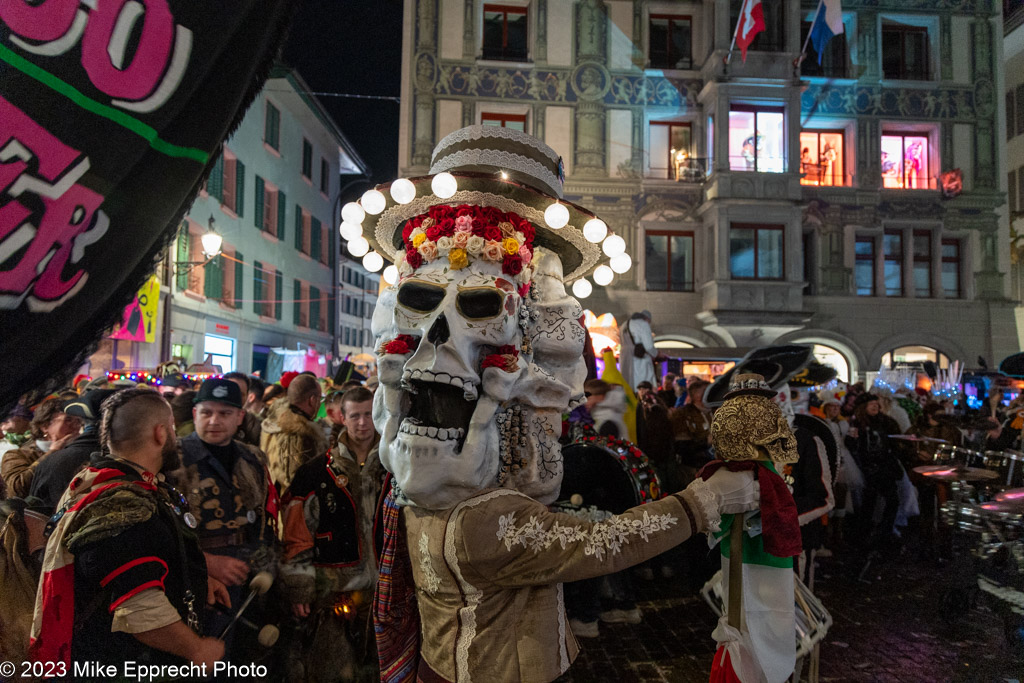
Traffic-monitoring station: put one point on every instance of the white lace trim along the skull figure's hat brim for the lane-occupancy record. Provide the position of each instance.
(397, 216)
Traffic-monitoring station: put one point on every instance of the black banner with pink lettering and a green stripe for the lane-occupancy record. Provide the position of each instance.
(110, 114)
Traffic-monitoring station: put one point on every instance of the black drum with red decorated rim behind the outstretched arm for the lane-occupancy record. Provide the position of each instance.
(609, 474)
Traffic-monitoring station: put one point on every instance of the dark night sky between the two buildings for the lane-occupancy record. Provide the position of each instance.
(355, 47)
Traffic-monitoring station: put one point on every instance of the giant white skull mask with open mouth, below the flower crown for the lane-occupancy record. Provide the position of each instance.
(451, 426)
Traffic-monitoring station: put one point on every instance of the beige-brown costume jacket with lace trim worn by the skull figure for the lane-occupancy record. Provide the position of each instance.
(489, 575)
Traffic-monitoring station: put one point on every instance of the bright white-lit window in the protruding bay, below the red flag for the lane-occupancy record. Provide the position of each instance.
(757, 139)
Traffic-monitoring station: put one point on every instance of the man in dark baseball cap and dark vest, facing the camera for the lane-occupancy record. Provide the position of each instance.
(230, 495)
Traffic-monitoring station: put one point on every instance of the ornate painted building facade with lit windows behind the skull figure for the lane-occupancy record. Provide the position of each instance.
(765, 200)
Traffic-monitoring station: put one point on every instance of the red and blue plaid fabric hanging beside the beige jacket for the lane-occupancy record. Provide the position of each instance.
(397, 617)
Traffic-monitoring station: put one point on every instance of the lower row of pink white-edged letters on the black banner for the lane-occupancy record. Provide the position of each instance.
(48, 220)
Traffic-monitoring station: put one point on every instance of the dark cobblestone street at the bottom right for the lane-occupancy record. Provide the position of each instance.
(889, 630)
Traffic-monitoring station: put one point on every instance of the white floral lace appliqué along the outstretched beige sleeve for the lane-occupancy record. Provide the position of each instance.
(601, 540)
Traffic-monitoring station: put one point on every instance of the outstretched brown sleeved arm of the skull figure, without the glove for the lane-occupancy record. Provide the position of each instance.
(515, 541)
